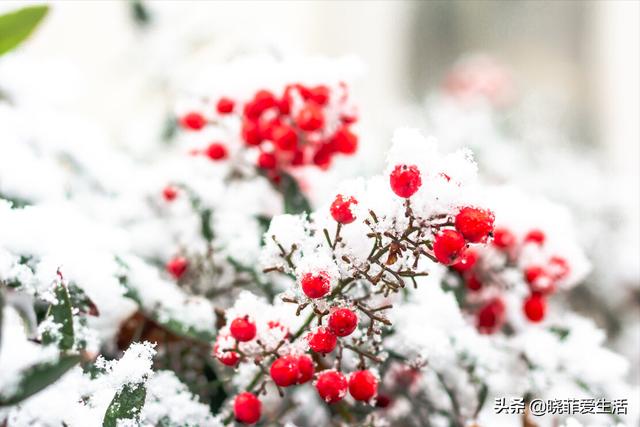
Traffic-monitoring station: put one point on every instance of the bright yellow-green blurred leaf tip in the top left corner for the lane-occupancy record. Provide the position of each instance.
(16, 26)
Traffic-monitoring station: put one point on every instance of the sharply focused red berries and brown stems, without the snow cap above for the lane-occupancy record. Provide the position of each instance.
(349, 297)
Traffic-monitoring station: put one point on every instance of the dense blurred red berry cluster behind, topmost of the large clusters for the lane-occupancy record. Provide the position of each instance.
(302, 125)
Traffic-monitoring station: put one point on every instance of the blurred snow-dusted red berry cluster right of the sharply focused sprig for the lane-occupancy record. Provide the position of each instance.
(486, 274)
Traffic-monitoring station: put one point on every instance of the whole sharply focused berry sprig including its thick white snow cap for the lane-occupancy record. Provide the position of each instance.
(347, 264)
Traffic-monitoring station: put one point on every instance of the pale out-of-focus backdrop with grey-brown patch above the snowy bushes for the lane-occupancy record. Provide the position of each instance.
(575, 65)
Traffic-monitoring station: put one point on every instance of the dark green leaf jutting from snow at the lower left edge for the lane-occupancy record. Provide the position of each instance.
(37, 377)
